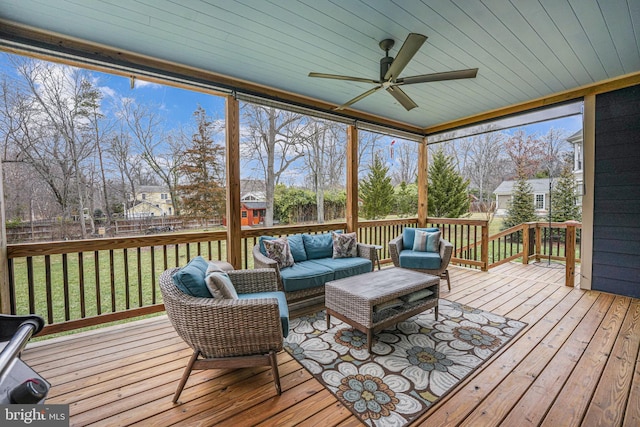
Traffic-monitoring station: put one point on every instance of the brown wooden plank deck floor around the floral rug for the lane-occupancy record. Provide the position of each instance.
(576, 363)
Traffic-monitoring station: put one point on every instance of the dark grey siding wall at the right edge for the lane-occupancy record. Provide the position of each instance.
(616, 246)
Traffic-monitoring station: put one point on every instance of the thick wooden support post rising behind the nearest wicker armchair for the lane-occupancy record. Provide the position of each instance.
(234, 228)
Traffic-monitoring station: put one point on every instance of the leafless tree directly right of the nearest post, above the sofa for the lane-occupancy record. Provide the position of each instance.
(274, 141)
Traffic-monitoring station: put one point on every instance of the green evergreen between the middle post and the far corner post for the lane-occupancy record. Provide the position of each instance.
(376, 191)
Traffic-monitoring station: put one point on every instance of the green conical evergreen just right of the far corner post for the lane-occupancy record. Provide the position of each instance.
(448, 195)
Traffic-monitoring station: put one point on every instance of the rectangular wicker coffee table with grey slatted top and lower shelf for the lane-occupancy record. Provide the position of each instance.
(376, 300)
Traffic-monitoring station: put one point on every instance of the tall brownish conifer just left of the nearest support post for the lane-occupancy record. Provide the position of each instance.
(202, 193)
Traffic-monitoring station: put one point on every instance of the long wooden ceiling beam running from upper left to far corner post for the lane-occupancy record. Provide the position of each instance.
(57, 47)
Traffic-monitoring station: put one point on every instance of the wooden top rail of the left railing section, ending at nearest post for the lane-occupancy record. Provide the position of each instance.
(107, 243)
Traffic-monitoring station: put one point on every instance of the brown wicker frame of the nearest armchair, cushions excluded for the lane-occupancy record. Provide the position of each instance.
(227, 333)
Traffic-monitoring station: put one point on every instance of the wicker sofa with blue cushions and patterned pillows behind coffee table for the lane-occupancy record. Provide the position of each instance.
(314, 264)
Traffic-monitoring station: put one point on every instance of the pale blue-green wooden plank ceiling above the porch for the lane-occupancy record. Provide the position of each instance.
(524, 49)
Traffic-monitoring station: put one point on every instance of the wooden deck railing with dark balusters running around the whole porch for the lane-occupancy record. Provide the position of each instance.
(75, 284)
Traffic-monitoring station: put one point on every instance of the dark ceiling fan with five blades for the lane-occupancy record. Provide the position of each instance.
(391, 68)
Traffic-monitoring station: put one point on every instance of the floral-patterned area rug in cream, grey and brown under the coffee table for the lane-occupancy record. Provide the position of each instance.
(412, 365)
